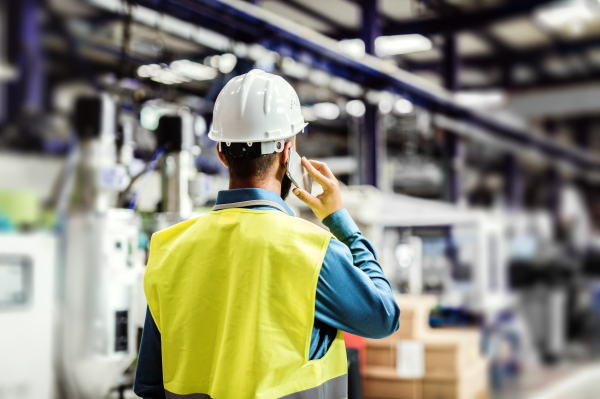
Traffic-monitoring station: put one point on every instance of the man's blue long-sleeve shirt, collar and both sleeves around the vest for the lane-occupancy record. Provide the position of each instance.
(353, 294)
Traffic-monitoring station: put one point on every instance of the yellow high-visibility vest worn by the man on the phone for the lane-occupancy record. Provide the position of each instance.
(233, 296)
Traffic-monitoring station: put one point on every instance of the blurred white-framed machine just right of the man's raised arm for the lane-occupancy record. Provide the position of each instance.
(467, 259)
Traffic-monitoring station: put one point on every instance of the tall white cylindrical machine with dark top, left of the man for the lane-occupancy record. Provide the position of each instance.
(102, 265)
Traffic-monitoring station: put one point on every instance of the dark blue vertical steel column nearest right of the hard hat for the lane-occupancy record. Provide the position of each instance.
(370, 31)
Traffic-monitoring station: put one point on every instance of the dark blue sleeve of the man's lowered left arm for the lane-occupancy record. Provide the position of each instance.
(148, 376)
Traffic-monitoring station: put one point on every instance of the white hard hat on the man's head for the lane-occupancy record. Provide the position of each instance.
(257, 107)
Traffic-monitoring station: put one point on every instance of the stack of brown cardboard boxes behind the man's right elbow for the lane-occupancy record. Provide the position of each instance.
(454, 368)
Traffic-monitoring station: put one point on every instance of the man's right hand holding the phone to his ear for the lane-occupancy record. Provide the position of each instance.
(330, 200)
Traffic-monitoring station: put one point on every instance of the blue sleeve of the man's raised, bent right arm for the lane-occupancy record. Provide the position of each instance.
(353, 294)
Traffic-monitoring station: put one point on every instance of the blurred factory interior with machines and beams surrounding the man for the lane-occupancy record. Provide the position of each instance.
(466, 134)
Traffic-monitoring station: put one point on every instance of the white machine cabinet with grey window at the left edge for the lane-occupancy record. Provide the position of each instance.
(27, 270)
